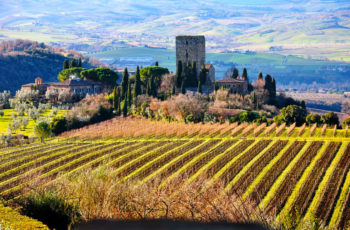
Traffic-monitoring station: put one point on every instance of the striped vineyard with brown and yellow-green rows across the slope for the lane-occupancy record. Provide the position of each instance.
(285, 171)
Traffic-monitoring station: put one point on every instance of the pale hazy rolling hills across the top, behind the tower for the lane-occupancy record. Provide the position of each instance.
(310, 28)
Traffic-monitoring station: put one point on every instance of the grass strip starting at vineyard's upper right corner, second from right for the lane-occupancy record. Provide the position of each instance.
(322, 186)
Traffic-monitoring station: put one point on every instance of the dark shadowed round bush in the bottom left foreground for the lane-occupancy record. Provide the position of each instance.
(51, 209)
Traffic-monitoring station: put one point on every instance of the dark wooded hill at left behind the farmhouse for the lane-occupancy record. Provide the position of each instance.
(21, 61)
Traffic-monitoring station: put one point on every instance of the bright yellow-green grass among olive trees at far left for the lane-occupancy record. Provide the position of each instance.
(28, 131)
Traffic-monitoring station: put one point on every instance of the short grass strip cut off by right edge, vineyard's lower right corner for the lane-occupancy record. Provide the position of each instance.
(339, 208)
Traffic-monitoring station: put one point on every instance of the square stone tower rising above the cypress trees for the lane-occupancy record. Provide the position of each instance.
(189, 49)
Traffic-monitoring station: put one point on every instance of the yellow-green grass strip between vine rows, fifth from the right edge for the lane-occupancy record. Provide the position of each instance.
(263, 172)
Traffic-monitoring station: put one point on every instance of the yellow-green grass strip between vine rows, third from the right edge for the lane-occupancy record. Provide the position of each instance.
(289, 203)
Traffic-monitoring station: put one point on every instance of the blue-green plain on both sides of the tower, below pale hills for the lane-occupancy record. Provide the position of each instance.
(281, 67)
